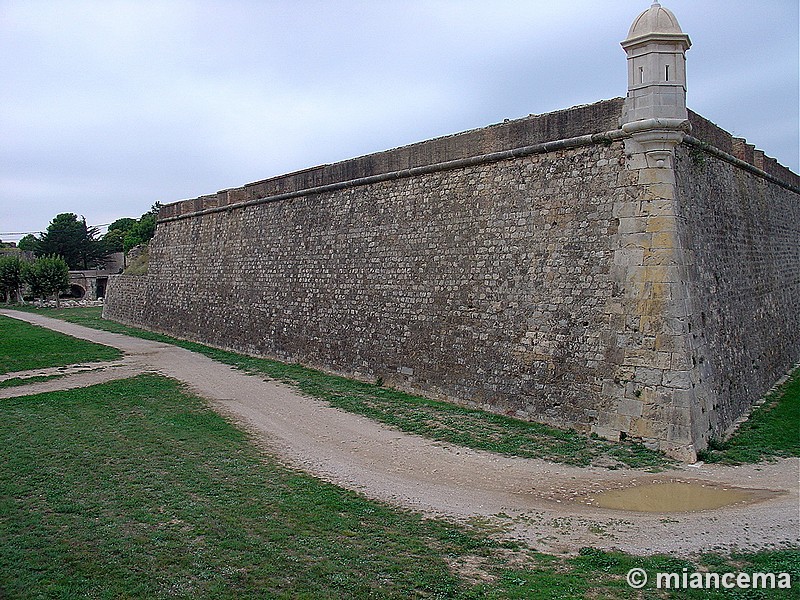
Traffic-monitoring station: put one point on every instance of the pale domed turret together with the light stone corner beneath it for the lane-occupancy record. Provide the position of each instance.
(658, 401)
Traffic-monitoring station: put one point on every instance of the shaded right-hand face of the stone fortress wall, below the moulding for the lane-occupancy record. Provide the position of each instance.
(741, 238)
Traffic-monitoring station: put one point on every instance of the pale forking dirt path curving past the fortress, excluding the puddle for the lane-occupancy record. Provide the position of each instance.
(539, 502)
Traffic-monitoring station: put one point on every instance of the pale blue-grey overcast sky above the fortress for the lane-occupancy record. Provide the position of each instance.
(109, 106)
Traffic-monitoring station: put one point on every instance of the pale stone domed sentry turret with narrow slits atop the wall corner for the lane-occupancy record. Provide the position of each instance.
(655, 108)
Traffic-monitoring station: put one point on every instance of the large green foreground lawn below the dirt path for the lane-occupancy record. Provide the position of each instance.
(136, 489)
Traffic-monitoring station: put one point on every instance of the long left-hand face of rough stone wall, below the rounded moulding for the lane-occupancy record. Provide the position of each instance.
(485, 284)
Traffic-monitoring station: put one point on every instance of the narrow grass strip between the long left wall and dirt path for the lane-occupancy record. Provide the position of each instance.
(442, 421)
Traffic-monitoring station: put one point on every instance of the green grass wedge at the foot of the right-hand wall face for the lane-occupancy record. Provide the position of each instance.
(772, 431)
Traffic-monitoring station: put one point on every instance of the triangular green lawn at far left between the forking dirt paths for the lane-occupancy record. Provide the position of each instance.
(24, 346)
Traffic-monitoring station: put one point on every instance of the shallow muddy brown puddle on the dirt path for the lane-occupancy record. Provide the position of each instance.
(673, 497)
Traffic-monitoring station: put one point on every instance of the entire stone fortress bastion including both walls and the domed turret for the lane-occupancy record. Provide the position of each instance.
(625, 268)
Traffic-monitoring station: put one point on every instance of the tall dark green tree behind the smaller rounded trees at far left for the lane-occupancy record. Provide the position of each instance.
(72, 239)
